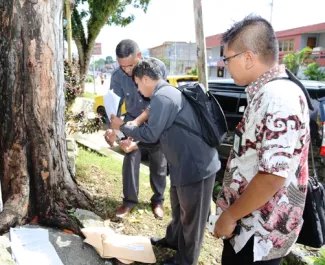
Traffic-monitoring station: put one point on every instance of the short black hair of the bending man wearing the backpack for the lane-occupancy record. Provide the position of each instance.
(148, 67)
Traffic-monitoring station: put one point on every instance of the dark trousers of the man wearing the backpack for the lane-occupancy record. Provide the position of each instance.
(190, 208)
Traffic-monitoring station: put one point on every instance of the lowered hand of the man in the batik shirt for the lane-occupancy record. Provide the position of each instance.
(225, 226)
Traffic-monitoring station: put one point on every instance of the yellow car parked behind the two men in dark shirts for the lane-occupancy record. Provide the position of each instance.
(174, 80)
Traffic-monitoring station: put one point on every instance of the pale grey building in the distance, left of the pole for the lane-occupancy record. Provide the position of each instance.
(178, 56)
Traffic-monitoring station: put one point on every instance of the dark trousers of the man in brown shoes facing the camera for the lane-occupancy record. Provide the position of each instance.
(131, 168)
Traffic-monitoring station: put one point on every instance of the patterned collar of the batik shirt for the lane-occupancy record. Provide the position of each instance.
(269, 75)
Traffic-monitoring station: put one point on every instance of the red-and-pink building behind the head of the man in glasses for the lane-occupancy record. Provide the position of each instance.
(290, 40)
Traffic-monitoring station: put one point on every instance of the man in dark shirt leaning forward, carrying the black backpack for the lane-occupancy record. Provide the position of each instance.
(193, 163)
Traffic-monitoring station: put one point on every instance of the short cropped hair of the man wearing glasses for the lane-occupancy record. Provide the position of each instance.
(256, 34)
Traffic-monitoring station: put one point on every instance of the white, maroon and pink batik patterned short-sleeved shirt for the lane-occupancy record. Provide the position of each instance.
(275, 139)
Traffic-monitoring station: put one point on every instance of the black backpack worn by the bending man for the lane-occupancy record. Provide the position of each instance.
(211, 117)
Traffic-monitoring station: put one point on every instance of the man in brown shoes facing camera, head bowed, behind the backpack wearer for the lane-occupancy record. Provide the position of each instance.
(137, 107)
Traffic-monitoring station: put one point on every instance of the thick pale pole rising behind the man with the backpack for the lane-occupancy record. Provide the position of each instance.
(200, 43)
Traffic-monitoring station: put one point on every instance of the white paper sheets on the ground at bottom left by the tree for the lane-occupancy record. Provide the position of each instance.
(31, 246)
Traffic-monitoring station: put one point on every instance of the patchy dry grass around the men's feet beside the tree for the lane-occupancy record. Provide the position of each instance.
(101, 176)
